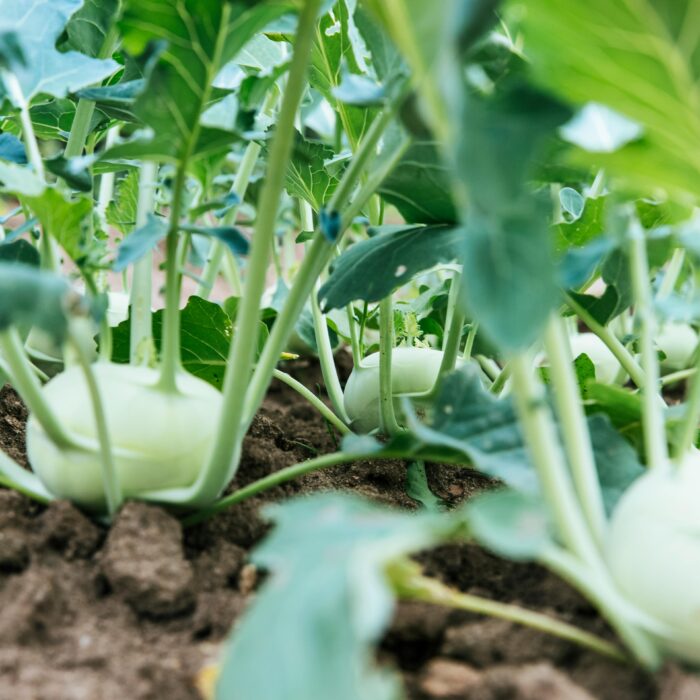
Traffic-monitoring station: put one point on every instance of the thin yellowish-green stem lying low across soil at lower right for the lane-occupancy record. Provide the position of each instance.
(410, 584)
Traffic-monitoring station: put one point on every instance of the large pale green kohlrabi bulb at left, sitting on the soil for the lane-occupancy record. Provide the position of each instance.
(160, 440)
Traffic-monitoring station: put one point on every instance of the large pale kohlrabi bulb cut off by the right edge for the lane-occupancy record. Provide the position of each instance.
(654, 552)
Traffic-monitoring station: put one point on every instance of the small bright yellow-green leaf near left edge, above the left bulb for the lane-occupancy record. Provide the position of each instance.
(65, 220)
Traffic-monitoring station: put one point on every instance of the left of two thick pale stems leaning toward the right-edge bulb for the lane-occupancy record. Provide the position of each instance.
(542, 440)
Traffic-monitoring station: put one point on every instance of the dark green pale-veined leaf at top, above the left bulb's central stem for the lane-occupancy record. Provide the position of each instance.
(201, 36)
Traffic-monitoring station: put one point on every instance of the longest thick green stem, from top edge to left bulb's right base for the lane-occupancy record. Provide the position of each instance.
(225, 455)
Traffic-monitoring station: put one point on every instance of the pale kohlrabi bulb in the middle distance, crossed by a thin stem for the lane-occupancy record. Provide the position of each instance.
(413, 371)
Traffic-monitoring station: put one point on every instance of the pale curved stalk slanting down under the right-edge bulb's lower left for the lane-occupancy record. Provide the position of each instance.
(626, 620)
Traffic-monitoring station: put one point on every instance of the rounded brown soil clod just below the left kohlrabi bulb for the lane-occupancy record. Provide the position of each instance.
(143, 562)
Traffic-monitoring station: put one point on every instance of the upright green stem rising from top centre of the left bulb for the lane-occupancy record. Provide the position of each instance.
(170, 344)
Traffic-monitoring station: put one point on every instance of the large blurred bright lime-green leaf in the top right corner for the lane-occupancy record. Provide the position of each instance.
(638, 57)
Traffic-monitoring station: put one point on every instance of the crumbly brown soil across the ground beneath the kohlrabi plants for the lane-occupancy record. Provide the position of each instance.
(134, 612)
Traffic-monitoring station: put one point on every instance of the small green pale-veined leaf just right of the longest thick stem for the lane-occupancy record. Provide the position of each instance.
(307, 176)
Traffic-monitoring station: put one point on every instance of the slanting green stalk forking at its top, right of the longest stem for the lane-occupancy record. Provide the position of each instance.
(319, 253)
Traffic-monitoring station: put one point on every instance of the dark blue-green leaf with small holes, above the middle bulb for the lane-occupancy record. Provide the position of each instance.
(372, 269)
